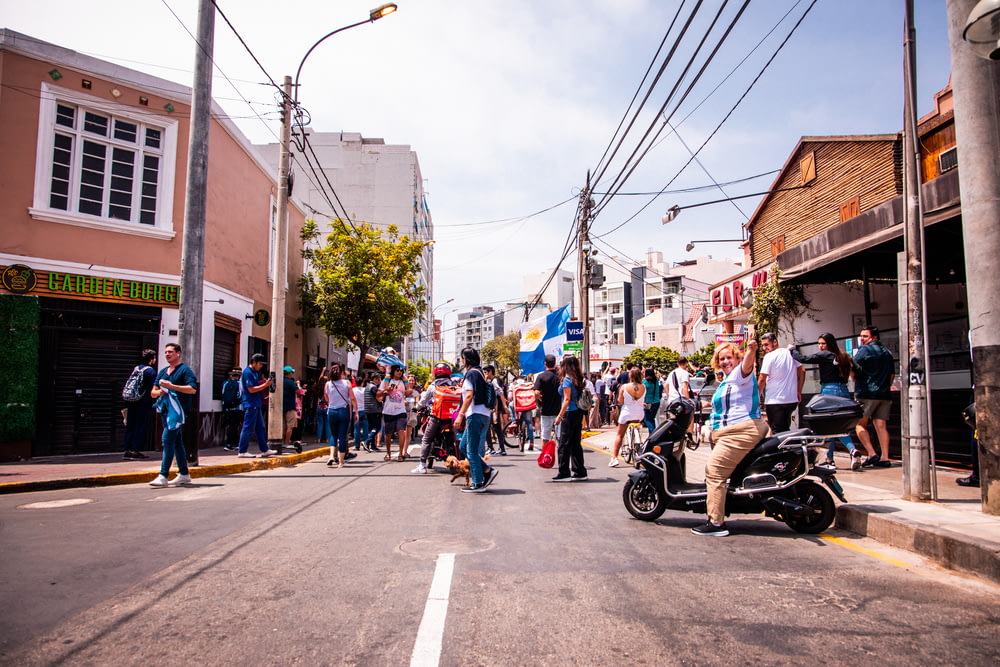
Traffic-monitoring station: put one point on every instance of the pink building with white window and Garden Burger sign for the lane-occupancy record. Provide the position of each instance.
(92, 213)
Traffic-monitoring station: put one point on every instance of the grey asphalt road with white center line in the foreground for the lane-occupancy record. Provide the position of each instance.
(310, 565)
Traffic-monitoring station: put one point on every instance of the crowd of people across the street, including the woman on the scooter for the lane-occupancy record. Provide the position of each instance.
(376, 408)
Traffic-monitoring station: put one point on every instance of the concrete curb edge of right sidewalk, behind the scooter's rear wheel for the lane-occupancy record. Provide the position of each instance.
(954, 551)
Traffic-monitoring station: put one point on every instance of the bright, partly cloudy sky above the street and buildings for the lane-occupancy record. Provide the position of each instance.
(509, 103)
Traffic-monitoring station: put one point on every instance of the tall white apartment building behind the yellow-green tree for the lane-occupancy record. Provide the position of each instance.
(376, 183)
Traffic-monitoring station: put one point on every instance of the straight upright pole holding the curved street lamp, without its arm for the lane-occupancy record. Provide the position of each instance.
(275, 414)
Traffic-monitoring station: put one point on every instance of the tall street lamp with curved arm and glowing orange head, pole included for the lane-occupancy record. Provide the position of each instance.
(289, 101)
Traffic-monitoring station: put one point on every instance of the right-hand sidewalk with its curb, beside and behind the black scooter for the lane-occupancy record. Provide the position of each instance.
(951, 531)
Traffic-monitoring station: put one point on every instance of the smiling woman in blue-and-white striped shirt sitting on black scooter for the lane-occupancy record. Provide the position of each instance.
(737, 427)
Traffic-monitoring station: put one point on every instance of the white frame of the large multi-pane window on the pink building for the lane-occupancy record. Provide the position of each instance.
(50, 97)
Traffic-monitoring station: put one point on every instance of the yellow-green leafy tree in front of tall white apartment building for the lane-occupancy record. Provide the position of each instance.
(362, 287)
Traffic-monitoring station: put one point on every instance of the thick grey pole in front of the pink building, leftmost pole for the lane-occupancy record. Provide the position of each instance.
(192, 296)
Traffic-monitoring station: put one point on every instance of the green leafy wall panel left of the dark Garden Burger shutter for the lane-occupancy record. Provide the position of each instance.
(20, 317)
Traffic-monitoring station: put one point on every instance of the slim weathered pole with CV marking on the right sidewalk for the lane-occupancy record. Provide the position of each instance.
(917, 474)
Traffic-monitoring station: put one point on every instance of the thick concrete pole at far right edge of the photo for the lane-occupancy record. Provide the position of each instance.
(976, 85)
